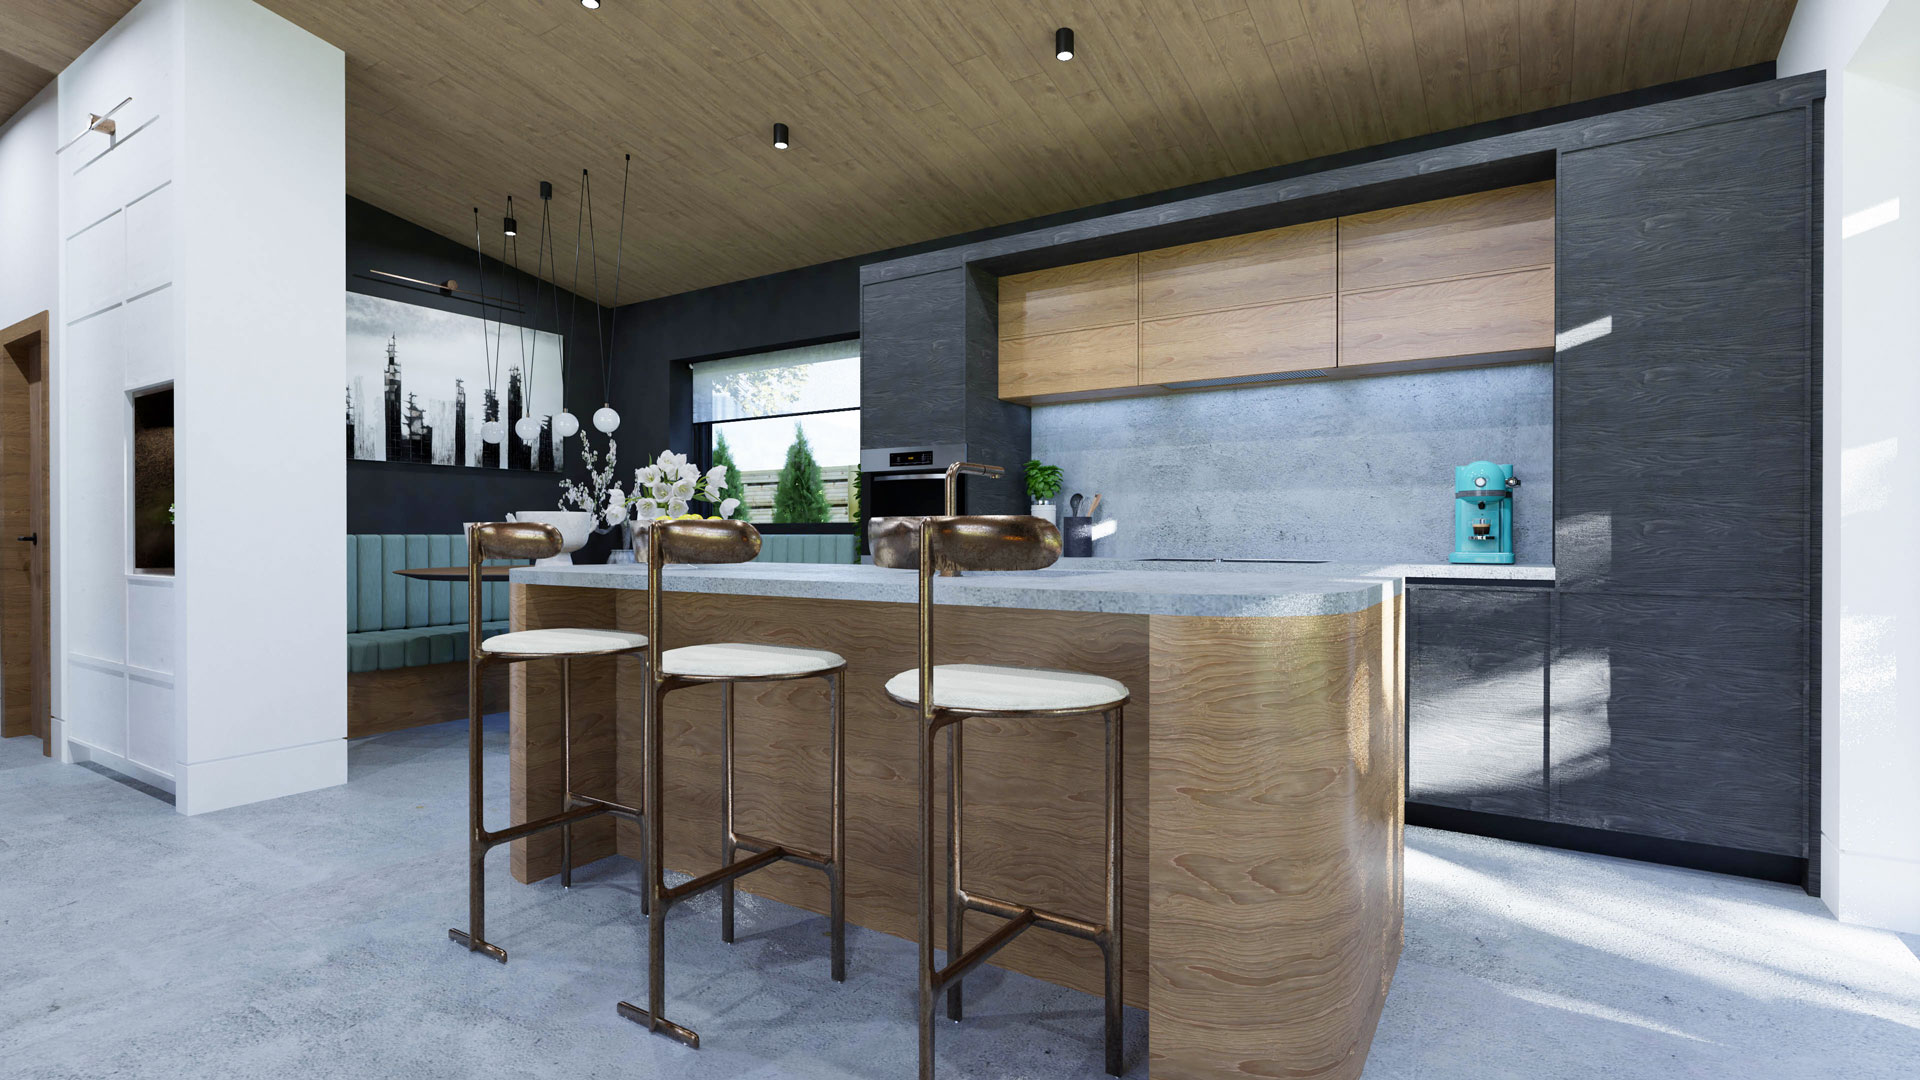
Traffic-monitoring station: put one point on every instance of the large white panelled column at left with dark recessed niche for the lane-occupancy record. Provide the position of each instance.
(206, 247)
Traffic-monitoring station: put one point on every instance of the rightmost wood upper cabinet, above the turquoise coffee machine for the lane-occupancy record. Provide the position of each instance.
(1464, 276)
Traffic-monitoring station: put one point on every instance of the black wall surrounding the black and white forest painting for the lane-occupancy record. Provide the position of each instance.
(437, 499)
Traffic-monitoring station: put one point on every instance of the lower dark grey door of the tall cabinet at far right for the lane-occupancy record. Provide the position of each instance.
(1683, 718)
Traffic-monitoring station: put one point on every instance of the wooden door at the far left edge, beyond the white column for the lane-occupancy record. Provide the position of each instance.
(26, 697)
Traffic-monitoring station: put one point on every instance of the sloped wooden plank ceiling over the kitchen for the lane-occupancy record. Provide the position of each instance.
(915, 120)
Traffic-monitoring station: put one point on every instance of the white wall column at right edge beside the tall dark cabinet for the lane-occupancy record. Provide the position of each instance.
(1871, 606)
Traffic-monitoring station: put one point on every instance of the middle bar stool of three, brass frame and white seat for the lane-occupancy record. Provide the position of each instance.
(694, 541)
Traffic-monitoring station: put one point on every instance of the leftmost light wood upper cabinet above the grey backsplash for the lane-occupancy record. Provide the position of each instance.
(1070, 330)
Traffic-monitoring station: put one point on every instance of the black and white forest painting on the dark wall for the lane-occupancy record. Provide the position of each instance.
(420, 387)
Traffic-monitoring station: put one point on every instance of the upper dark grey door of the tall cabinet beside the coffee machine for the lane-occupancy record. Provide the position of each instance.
(1683, 433)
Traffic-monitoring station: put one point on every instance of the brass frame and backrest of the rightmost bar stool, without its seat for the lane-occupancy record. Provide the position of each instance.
(996, 545)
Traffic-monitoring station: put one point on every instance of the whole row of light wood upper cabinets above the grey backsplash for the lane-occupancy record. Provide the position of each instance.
(1456, 278)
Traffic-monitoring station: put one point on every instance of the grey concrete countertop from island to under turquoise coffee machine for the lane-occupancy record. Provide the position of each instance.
(1072, 585)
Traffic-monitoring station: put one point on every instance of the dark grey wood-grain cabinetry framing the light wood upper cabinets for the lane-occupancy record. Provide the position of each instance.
(1662, 693)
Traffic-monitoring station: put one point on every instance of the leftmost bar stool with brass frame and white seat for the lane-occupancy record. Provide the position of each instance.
(523, 541)
